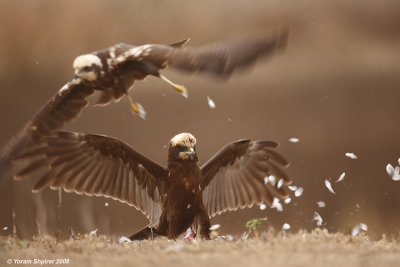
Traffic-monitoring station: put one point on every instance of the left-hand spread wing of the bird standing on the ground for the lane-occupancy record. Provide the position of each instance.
(98, 165)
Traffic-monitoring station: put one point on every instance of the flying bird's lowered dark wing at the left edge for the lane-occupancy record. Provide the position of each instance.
(64, 106)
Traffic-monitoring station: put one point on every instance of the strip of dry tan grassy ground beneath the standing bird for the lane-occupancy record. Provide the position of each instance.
(318, 248)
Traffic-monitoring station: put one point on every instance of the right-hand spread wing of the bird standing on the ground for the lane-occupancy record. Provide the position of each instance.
(234, 177)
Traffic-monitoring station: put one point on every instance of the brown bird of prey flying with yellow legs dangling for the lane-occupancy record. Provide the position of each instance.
(114, 70)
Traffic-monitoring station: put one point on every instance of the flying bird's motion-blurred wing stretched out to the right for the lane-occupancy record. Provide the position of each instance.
(219, 59)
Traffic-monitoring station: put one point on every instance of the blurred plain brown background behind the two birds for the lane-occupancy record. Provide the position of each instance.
(335, 88)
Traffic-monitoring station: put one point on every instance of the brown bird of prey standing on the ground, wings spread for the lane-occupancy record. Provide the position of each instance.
(172, 198)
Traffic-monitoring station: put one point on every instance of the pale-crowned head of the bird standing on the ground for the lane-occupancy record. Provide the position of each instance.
(182, 147)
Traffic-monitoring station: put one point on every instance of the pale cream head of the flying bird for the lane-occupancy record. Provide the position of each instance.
(87, 67)
